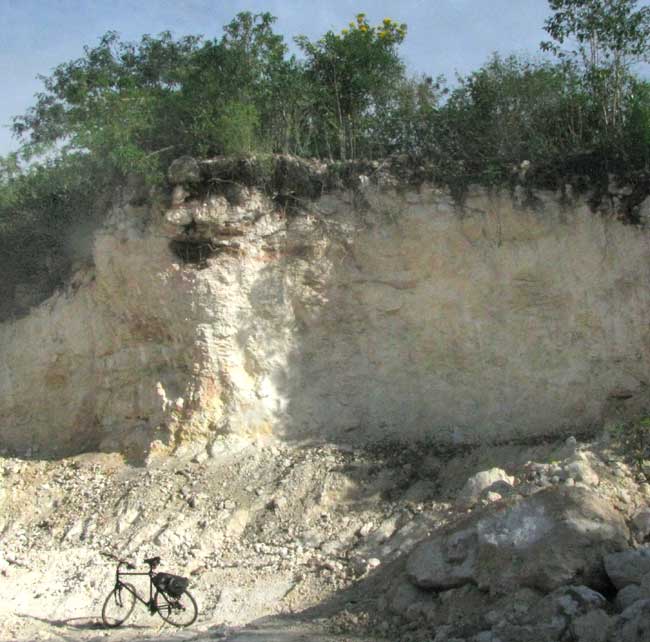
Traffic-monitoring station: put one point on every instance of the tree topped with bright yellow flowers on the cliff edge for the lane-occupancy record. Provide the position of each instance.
(351, 72)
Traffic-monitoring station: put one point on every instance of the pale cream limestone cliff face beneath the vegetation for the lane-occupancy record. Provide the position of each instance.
(409, 317)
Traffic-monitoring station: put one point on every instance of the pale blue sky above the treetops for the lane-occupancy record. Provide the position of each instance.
(444, 36)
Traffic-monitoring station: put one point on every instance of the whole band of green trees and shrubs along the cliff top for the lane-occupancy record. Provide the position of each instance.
(128, 108)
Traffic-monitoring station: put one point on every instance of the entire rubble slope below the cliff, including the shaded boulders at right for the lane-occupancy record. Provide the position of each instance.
(403, 542)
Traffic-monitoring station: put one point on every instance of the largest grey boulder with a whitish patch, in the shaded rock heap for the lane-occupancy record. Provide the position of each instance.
(555, 537)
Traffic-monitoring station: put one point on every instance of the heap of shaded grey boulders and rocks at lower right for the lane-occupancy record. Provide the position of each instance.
(554, 553)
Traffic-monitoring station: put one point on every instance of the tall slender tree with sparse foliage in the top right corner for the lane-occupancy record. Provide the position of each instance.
(608, 37)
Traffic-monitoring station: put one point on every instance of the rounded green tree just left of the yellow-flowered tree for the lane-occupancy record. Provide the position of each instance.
(247, 74)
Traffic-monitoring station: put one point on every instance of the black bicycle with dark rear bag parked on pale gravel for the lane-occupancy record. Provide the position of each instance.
(171, 599)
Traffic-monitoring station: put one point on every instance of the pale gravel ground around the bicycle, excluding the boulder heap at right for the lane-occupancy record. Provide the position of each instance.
(280, 542)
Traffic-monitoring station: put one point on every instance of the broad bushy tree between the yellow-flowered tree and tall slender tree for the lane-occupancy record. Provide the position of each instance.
(512, 110)
